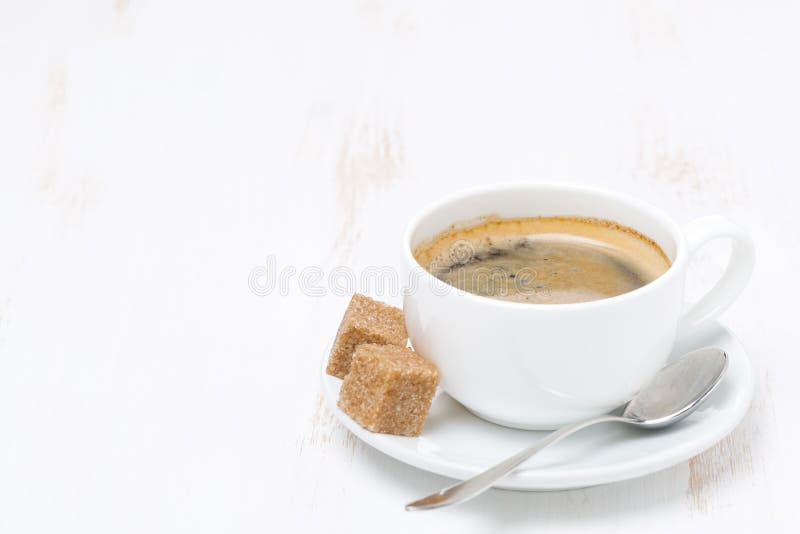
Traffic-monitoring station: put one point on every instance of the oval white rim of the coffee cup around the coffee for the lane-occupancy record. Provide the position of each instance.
(656, 213)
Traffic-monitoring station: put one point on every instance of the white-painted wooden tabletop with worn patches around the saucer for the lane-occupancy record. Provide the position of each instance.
(154, 154)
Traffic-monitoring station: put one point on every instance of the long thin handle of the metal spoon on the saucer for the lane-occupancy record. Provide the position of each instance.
(467, 489)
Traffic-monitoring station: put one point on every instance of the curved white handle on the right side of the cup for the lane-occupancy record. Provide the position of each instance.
(740, 265)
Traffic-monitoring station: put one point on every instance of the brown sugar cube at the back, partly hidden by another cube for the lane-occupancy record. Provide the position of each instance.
(365, 321)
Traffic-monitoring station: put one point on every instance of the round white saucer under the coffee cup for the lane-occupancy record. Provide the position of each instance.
(457, 444)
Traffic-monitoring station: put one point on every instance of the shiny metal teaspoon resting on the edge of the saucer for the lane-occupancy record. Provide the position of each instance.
(673, 394)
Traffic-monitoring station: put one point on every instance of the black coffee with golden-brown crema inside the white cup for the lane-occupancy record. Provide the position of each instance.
(544, 260)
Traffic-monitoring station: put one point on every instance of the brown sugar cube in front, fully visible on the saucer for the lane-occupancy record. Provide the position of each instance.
(389, 389)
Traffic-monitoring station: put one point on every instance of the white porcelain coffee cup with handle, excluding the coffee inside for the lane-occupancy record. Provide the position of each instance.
(540, 366)
